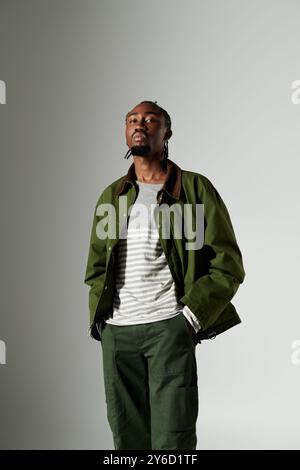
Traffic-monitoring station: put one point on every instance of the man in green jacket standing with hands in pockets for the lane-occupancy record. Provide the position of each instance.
(154, 295)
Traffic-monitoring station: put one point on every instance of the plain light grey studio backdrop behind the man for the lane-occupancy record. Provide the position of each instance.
(223, 70)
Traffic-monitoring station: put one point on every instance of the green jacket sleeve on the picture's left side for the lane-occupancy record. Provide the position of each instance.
(95, 269)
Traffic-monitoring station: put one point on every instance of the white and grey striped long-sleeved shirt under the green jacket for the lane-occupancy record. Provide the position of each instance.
(145, 288)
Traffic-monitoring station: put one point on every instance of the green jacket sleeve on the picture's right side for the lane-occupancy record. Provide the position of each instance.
(210, 293)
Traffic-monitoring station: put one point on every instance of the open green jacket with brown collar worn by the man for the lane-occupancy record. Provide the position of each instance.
(206, 278)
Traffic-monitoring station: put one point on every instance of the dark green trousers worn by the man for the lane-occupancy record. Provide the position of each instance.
(151, 384)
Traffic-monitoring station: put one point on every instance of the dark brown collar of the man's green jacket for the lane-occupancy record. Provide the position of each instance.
(172, 184)
